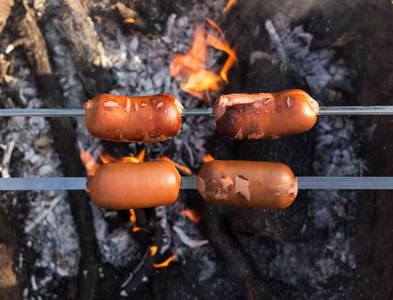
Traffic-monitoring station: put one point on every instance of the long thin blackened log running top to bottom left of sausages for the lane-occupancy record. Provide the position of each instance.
(48, 83)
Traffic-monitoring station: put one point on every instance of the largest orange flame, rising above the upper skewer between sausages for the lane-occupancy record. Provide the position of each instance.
(190, 67)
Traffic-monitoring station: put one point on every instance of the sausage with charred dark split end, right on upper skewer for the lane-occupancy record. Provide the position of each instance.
(265, 115)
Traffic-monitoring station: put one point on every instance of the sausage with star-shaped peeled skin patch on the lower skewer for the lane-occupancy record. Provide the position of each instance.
(247, 184)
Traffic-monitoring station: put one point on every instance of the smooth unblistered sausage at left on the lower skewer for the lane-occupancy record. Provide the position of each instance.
(134, 185)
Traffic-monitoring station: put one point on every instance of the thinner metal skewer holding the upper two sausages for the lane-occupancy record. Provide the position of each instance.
(323, 111)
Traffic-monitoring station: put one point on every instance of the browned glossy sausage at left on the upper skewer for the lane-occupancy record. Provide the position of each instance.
(133, 119)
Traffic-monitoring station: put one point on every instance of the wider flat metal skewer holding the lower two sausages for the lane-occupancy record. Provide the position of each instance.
(304, 183)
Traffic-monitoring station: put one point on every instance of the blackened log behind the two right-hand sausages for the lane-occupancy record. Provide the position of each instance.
(266, 74)
